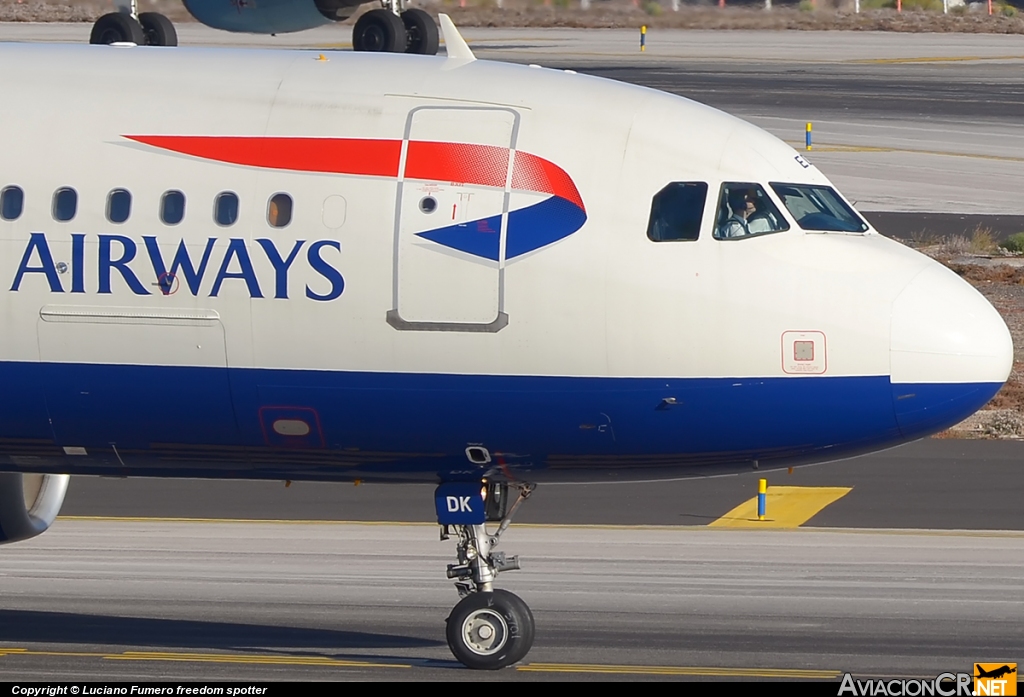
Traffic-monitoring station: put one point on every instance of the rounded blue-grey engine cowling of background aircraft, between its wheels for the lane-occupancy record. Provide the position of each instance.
(270, 17)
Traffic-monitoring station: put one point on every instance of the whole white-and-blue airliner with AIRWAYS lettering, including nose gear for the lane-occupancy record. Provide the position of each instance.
(395, 269)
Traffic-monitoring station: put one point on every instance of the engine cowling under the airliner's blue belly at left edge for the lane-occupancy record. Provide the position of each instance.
(29, 504)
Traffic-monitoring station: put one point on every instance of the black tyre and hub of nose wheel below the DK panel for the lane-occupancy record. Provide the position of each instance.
(490, 631)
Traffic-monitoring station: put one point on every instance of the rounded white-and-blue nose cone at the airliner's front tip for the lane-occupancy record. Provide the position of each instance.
(950, 354)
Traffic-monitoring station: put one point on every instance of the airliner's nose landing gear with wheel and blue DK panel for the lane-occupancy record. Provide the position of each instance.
(490, 629)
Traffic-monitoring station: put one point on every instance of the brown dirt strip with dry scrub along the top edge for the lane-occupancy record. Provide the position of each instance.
(825, 15)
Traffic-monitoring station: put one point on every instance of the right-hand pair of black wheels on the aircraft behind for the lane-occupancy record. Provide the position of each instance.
(393, 30)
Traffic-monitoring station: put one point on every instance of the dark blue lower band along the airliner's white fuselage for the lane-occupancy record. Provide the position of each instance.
(318, 420)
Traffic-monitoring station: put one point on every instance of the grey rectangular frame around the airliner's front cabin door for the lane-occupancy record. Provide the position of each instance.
(395, 318)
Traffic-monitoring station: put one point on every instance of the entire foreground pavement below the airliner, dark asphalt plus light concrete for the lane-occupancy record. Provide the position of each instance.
(626, 582)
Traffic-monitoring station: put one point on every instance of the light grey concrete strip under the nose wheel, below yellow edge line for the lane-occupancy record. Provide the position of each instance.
(110, 600)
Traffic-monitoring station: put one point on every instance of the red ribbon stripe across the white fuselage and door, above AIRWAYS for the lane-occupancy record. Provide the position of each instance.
(457, 163)
